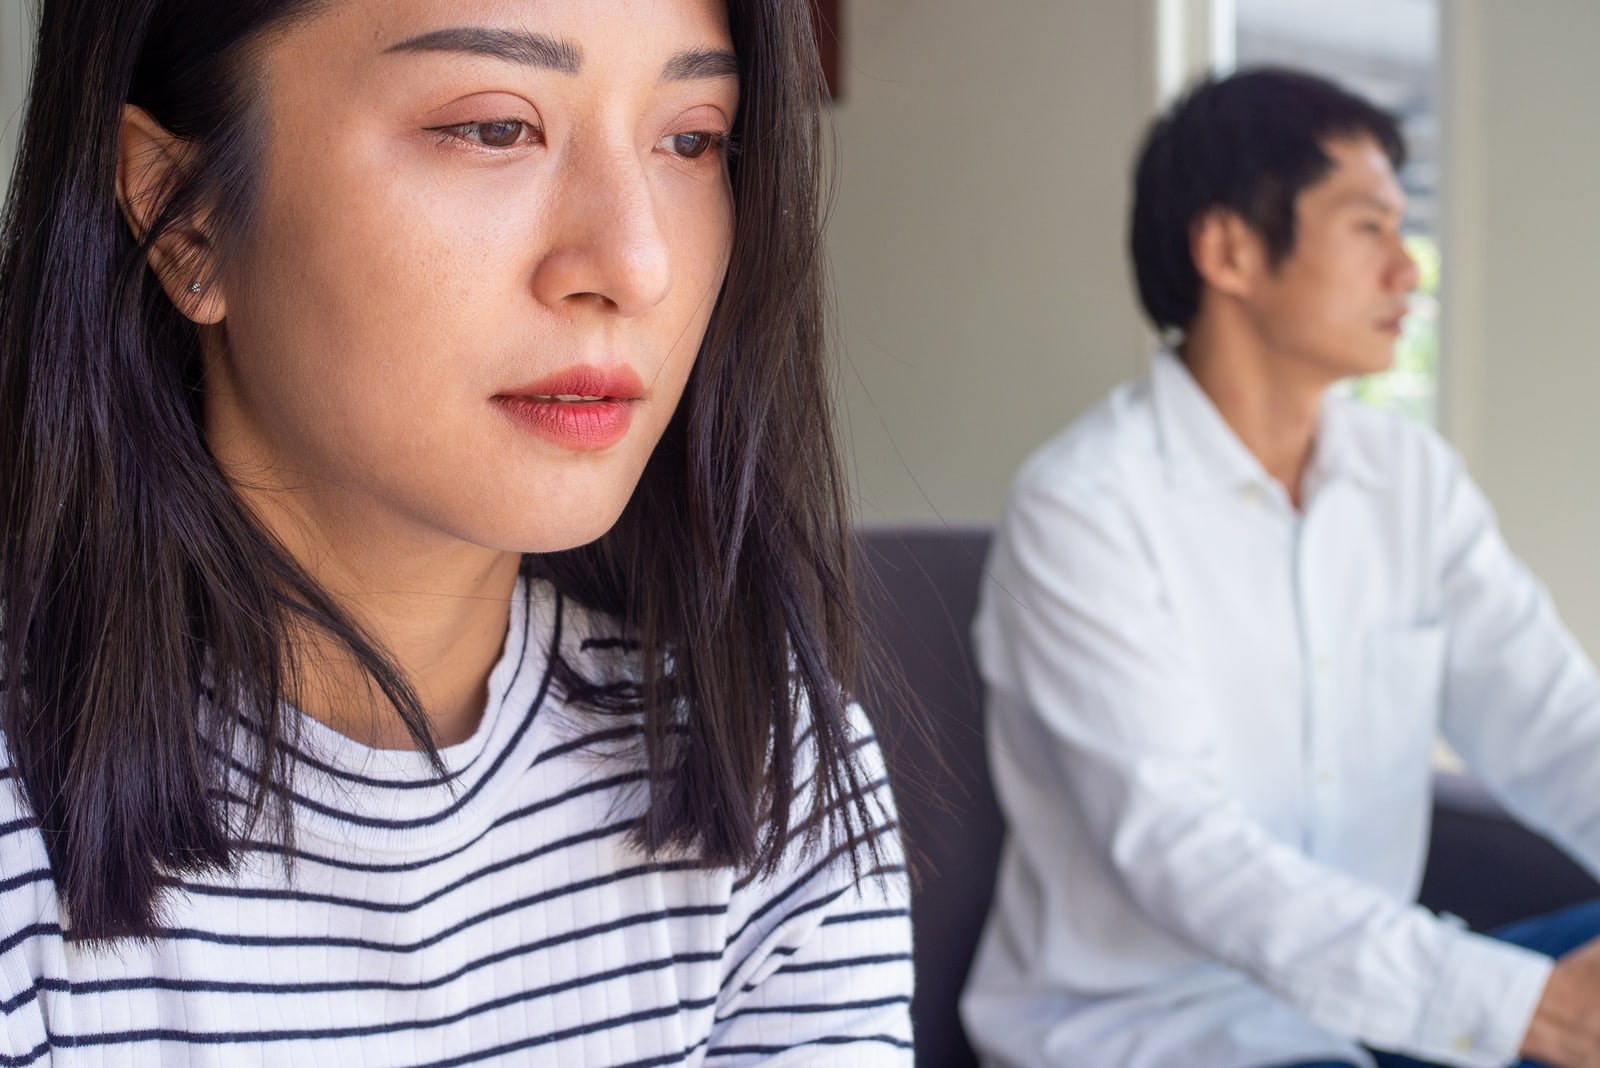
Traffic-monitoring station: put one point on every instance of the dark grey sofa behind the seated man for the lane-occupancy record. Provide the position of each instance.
(921, 594)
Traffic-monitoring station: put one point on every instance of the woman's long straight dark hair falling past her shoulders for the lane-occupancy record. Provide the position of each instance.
(148, 616)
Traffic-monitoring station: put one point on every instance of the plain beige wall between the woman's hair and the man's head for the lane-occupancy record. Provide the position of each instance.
(978, 236)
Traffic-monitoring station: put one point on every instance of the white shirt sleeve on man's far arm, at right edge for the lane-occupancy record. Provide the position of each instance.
(1522, 701)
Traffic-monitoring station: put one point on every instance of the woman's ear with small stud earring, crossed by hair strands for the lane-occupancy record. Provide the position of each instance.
(150, 167)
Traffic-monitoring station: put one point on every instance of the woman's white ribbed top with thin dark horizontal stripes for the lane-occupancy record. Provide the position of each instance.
(505, 919)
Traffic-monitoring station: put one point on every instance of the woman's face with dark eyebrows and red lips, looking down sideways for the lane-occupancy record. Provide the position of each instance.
(489, 242)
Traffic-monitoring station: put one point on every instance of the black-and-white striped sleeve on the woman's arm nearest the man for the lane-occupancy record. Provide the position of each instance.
(818, 966)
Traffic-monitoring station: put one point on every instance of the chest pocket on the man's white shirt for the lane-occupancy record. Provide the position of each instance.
(1402, 691)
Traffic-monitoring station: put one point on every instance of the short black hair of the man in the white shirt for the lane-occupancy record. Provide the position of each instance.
(1250, 145)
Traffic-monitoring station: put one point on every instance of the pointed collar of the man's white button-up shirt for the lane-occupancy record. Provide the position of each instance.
(1202, 450)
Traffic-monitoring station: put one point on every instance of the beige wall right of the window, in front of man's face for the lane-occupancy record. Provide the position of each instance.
(1524, 229)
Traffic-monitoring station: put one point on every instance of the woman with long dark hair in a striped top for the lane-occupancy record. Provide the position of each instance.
(425, 581)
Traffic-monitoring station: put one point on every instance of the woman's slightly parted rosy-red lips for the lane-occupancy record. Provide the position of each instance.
(580, 408)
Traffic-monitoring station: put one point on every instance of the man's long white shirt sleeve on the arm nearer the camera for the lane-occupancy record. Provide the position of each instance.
(1087, 647)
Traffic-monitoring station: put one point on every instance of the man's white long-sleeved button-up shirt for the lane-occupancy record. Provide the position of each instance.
(1210, 723)
